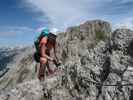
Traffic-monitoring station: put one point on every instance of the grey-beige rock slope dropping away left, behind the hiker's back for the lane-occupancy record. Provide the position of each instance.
(22, 68)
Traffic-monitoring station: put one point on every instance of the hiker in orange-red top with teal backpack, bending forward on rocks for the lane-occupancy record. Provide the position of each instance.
(44, 44)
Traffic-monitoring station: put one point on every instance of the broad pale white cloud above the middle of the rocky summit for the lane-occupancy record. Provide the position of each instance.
(63, 13)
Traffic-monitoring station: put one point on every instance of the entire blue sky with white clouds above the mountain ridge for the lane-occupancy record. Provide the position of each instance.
(20, 19)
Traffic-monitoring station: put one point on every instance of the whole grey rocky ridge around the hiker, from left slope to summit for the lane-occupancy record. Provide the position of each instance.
(97, 64)
